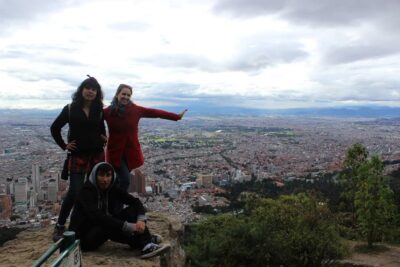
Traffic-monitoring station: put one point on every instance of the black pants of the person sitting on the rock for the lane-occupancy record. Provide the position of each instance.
(98, 235)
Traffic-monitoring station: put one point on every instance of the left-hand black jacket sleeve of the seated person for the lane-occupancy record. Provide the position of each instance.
(88, 201)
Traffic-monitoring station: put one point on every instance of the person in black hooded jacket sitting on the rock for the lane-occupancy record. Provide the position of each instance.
(93, 220)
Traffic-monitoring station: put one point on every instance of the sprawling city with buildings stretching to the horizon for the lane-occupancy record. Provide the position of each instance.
(187, 162)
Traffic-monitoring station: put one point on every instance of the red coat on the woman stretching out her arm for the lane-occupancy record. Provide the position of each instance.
(123, 140)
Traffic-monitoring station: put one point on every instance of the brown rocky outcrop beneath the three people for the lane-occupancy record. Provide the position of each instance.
(32, 243)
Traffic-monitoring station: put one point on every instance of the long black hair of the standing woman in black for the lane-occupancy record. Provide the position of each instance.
(91, 82)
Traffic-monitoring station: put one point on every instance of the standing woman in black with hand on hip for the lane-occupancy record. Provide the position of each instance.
(85, 144)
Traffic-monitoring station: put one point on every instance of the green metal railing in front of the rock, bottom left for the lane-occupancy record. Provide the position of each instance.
(70, 253)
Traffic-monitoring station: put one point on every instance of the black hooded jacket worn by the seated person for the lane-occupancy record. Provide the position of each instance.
(94, 208)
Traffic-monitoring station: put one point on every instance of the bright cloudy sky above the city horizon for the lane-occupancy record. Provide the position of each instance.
(180, 53)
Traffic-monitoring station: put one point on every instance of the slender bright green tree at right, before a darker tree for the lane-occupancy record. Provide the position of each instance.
(374, 200)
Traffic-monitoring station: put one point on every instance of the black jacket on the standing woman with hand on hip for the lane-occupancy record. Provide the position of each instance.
(85, 131)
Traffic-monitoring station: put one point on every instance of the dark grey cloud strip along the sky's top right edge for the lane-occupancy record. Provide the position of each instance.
(340, 12)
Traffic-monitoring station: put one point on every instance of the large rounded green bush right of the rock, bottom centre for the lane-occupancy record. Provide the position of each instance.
(293, 230)
